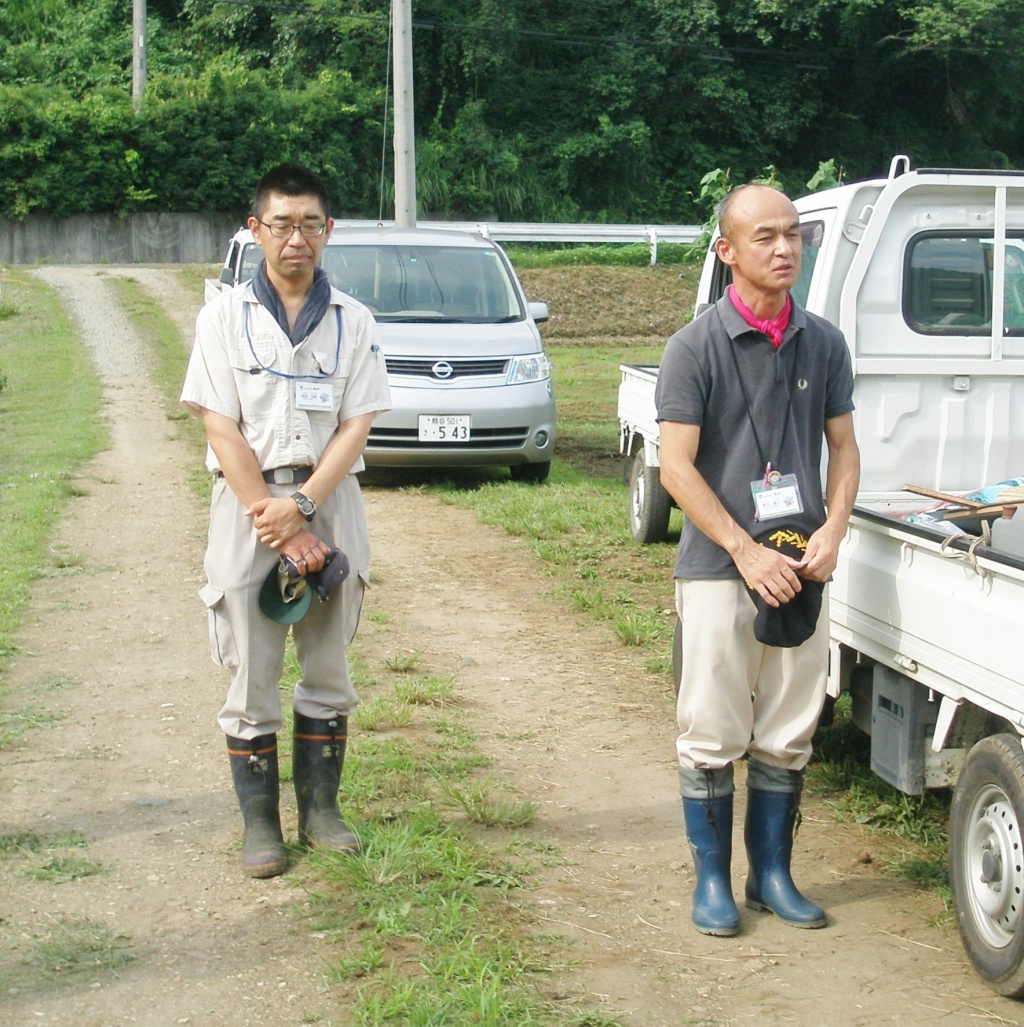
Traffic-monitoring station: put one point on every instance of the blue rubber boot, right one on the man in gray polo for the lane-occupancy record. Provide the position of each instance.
(772, 821)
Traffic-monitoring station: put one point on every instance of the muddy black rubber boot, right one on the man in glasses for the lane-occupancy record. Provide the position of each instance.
(318, 756)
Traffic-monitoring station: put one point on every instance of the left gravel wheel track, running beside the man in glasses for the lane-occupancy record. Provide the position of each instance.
(118, 654)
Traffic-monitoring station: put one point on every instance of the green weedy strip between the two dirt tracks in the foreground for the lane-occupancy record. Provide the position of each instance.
(426, 919)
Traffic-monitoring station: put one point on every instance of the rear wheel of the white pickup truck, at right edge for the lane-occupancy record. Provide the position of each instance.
(987, 861)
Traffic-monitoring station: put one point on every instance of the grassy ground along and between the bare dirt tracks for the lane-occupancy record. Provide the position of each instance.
(423, 887)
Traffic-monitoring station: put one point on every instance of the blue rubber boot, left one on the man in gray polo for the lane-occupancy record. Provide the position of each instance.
(709, 831)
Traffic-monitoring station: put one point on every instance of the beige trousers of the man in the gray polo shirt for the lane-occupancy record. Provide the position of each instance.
(738, 696)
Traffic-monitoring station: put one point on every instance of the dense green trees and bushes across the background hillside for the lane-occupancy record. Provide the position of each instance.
(525, 109)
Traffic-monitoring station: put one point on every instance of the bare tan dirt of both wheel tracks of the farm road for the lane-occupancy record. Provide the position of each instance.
(117, 650)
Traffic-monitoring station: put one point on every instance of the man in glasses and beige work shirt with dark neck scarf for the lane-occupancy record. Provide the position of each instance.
(287, 376)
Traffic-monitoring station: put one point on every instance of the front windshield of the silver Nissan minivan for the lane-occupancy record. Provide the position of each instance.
(426, 284)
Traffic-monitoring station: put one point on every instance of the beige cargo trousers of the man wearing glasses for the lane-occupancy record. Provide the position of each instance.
(251, 645)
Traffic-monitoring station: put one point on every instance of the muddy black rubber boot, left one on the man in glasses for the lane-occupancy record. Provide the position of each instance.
(254, 770)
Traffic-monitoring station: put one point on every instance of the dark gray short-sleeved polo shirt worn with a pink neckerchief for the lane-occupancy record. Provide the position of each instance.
(790, 394)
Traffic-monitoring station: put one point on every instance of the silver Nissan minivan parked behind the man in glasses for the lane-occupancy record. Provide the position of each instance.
(470, 378)
